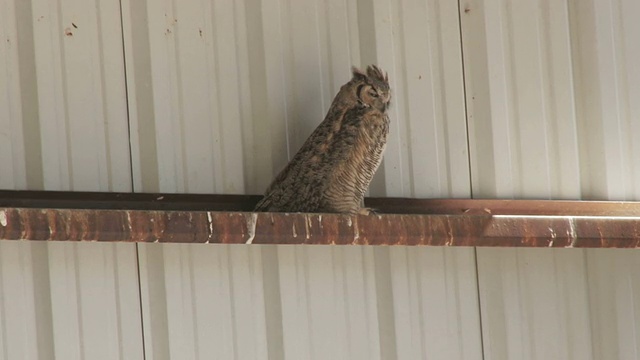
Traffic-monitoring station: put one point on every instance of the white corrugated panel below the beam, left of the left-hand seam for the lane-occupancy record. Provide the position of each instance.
(69, 301)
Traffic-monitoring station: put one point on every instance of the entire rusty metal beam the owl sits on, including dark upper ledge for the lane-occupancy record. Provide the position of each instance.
(203, 219)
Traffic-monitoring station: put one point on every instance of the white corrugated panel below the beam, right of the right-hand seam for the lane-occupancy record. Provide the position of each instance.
(559, 304)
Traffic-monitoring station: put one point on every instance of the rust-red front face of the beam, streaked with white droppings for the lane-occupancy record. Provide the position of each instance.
(465, 229)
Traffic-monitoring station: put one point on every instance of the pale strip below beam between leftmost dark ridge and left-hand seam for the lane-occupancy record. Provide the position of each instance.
(93, 315)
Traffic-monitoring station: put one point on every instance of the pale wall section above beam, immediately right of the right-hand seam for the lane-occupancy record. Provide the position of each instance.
(522, 122)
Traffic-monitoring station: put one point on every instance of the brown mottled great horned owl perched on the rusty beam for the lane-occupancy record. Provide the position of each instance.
(334, 167)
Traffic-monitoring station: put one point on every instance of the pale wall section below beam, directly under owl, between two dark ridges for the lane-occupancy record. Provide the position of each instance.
(328, 305)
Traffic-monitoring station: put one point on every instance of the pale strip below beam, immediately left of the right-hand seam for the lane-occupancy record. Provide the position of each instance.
(434, 298)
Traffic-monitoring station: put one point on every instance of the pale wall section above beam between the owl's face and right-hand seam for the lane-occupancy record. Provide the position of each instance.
(427, 152)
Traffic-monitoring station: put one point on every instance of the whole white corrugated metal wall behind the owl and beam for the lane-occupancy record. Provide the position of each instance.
(495, 98)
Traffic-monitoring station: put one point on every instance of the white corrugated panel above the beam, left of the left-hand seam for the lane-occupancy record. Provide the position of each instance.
(63, 113)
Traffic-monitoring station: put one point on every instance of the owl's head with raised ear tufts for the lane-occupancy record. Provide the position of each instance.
(372, 87)
